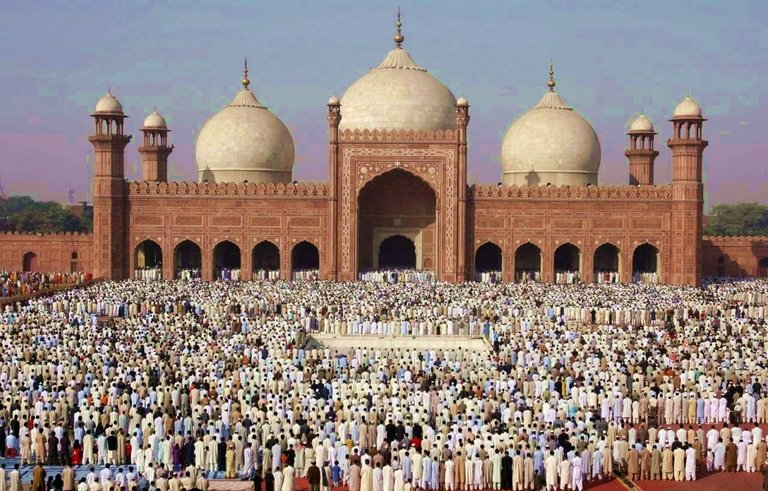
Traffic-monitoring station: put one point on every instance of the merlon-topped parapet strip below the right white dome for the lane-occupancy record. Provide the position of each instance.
(605, 192)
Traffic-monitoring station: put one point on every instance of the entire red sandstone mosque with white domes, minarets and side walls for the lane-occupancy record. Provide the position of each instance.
(396, 196)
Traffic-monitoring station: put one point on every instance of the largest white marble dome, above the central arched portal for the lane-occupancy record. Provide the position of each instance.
(398, 94)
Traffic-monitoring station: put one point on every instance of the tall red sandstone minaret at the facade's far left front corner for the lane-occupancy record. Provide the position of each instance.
(109, 190)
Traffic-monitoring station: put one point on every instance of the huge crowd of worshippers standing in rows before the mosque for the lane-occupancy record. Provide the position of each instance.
(173, 380)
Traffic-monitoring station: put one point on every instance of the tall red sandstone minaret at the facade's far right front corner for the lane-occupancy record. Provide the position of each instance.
(687, 146)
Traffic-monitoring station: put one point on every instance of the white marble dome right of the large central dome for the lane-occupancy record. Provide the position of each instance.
(550, 143)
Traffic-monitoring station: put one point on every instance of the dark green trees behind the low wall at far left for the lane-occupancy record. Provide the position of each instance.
(24, 214)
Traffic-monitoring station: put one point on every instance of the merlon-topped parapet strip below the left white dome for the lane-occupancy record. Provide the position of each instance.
(225, 189)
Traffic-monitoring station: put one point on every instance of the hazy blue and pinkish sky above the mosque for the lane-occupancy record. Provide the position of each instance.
(612, 60)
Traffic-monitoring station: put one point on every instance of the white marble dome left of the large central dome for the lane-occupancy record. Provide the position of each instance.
(244, 142)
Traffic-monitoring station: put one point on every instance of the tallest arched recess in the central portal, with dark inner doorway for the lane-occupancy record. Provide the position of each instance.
(396, 203)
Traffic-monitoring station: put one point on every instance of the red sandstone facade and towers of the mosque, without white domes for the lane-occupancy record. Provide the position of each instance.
(394, 183)
